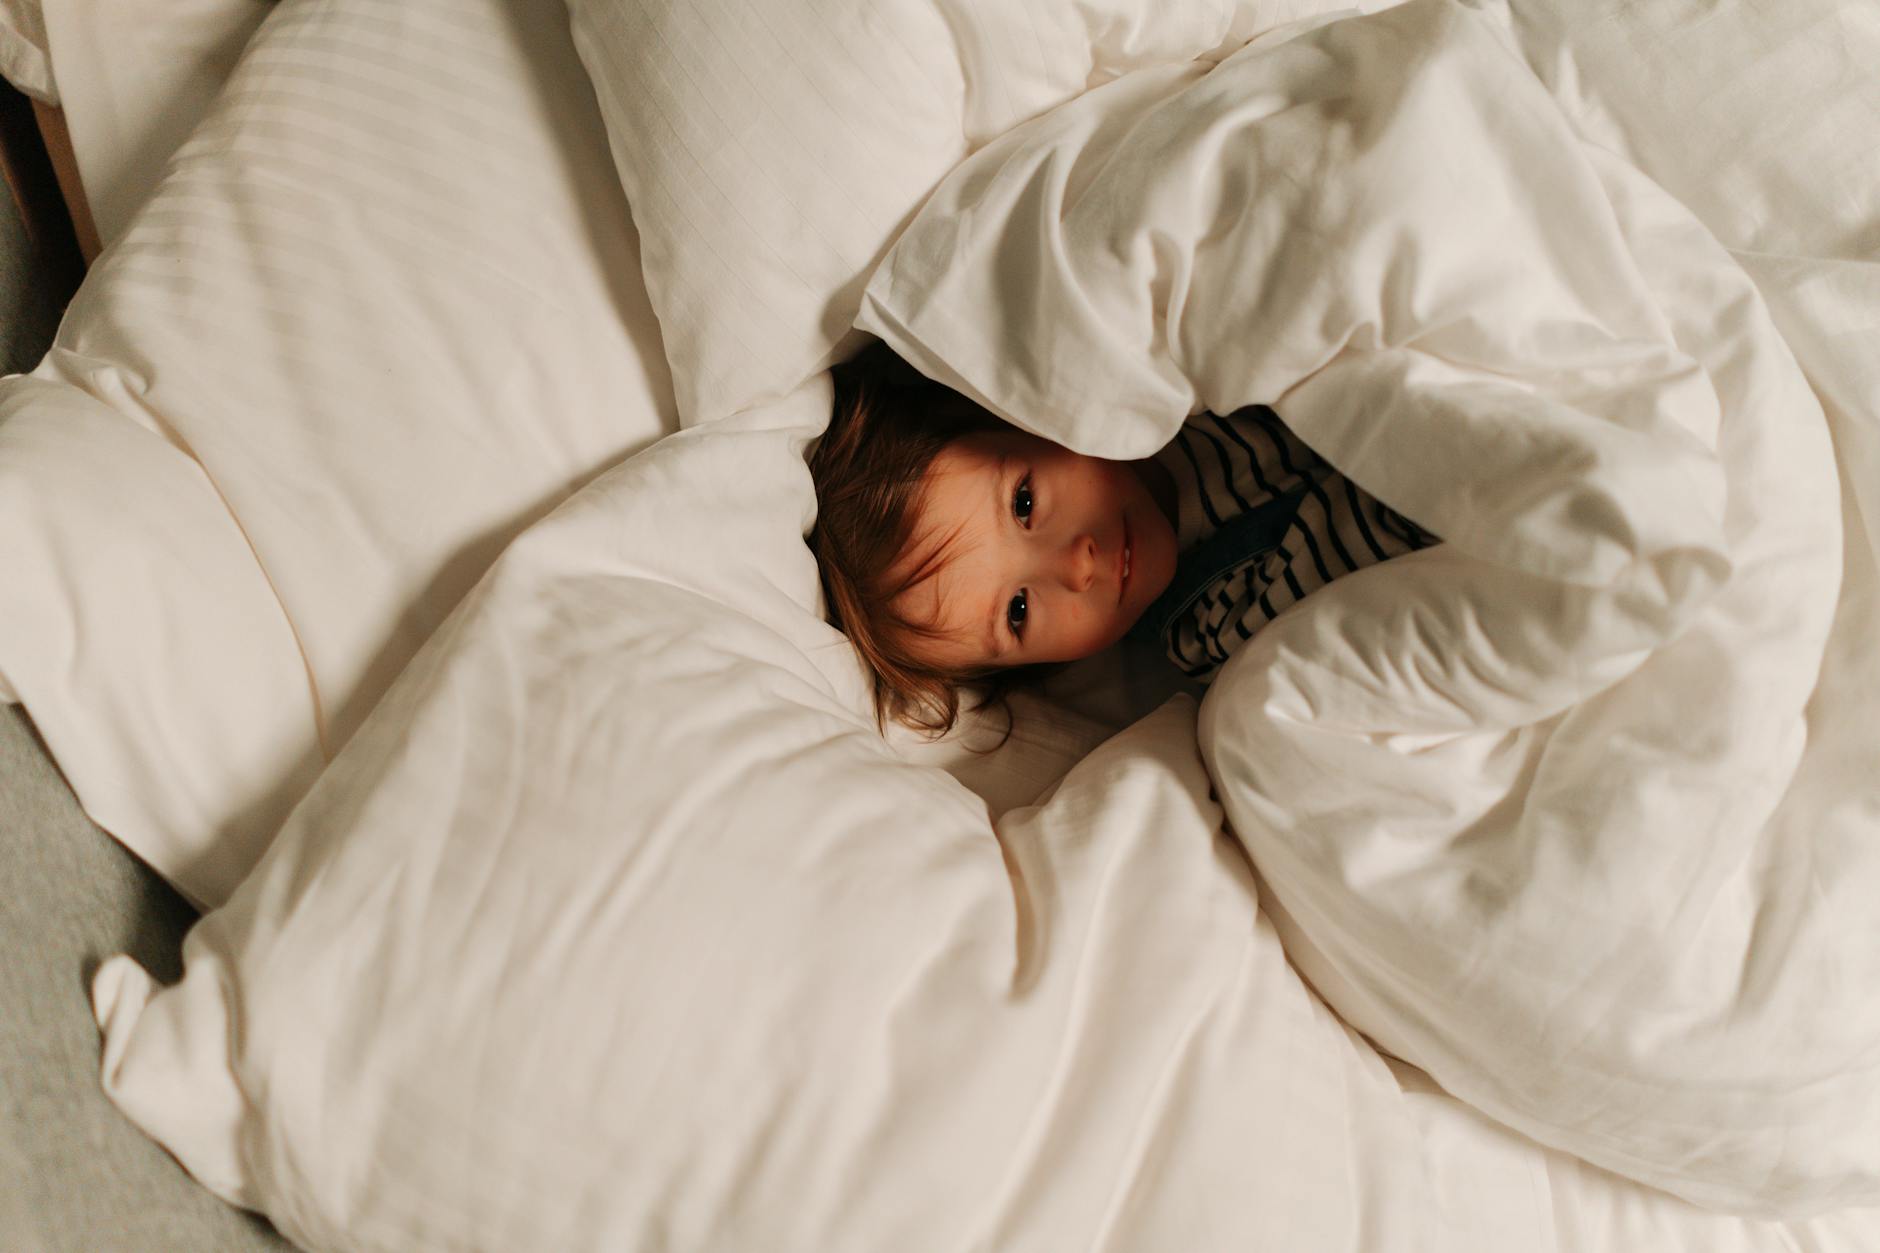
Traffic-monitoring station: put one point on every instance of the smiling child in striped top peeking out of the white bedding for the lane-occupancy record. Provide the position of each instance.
(958, 550)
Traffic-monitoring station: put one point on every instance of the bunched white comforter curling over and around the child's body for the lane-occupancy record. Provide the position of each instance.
(1580, 810)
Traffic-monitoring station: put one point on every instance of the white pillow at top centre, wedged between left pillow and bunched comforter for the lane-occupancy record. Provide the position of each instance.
(774, 151)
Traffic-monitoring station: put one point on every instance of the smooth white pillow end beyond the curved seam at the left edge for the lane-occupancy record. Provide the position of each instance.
(144, 639)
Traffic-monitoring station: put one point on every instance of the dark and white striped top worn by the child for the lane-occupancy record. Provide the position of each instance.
(1227, 468)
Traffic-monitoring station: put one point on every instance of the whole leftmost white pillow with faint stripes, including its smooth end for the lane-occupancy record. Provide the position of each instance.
(388, 302)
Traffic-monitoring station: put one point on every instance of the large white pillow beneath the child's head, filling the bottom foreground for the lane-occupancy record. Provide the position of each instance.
(619, 928)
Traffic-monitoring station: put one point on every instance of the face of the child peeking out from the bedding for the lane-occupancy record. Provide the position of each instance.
(1048, 556)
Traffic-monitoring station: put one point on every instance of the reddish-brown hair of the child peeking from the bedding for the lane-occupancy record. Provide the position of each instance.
(886, 428)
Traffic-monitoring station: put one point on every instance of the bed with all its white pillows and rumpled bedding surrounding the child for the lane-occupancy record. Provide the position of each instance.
(465, 661)
